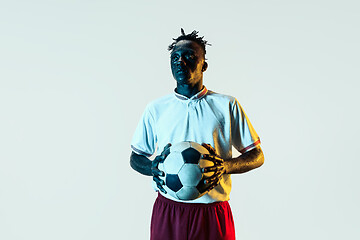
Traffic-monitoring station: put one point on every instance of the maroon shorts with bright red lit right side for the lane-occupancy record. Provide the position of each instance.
(191, 221)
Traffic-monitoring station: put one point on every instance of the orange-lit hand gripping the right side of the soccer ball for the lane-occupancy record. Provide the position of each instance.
(218, 168)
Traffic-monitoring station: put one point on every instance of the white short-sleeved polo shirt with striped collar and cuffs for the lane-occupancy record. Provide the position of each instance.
(206, 117)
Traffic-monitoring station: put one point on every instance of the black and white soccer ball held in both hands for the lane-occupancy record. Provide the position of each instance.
(183, 178)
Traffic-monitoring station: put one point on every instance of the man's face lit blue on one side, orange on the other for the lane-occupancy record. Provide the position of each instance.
(188, 62)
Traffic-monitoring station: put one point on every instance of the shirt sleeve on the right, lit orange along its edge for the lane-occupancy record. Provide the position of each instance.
(244, 137)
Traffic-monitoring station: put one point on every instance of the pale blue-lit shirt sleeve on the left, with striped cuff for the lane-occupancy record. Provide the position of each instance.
(144, 139)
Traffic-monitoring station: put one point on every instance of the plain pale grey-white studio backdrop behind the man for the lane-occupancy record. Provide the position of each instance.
(75, 77)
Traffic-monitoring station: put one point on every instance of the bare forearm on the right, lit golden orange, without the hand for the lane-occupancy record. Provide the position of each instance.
(245, 162)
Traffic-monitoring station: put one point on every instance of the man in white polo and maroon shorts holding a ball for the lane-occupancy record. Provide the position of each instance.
(193, 113)
